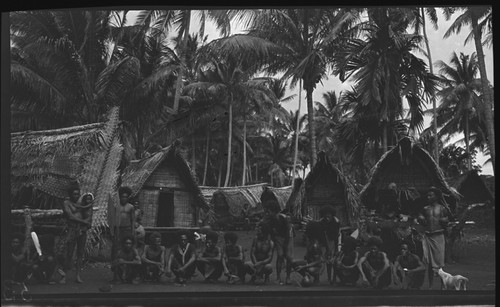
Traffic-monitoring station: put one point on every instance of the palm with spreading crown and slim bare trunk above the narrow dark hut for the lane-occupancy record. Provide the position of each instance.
(307, 37)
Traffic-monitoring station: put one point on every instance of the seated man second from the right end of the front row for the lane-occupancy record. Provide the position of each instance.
(374, 265)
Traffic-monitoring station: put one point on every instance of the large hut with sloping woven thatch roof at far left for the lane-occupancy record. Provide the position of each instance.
(45, 163)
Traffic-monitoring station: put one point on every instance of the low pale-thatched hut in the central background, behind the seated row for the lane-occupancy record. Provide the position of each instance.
(232, 205)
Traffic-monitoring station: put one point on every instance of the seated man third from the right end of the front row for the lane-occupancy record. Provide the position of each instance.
(345, 263)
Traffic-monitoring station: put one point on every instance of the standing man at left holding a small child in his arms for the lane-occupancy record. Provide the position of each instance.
(78, 211)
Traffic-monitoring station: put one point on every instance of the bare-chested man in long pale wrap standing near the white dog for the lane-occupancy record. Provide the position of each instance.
(434, 219)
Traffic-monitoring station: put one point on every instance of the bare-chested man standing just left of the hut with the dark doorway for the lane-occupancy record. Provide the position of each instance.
(125, 224)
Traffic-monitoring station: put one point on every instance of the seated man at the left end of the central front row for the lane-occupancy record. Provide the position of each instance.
(127, 263)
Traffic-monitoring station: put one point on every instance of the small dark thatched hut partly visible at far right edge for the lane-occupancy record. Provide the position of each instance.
(472, 188)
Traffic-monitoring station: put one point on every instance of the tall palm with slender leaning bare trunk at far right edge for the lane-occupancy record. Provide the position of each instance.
(471, 16)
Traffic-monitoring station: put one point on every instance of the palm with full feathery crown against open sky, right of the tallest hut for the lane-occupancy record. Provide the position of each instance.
(460, 96)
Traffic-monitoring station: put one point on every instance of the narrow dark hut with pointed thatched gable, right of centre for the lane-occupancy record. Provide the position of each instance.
(326, 185)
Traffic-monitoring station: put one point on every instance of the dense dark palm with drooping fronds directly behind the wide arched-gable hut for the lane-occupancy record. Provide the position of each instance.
(384, 70)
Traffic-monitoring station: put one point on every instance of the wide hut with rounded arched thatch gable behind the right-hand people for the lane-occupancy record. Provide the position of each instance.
(413, 170)
